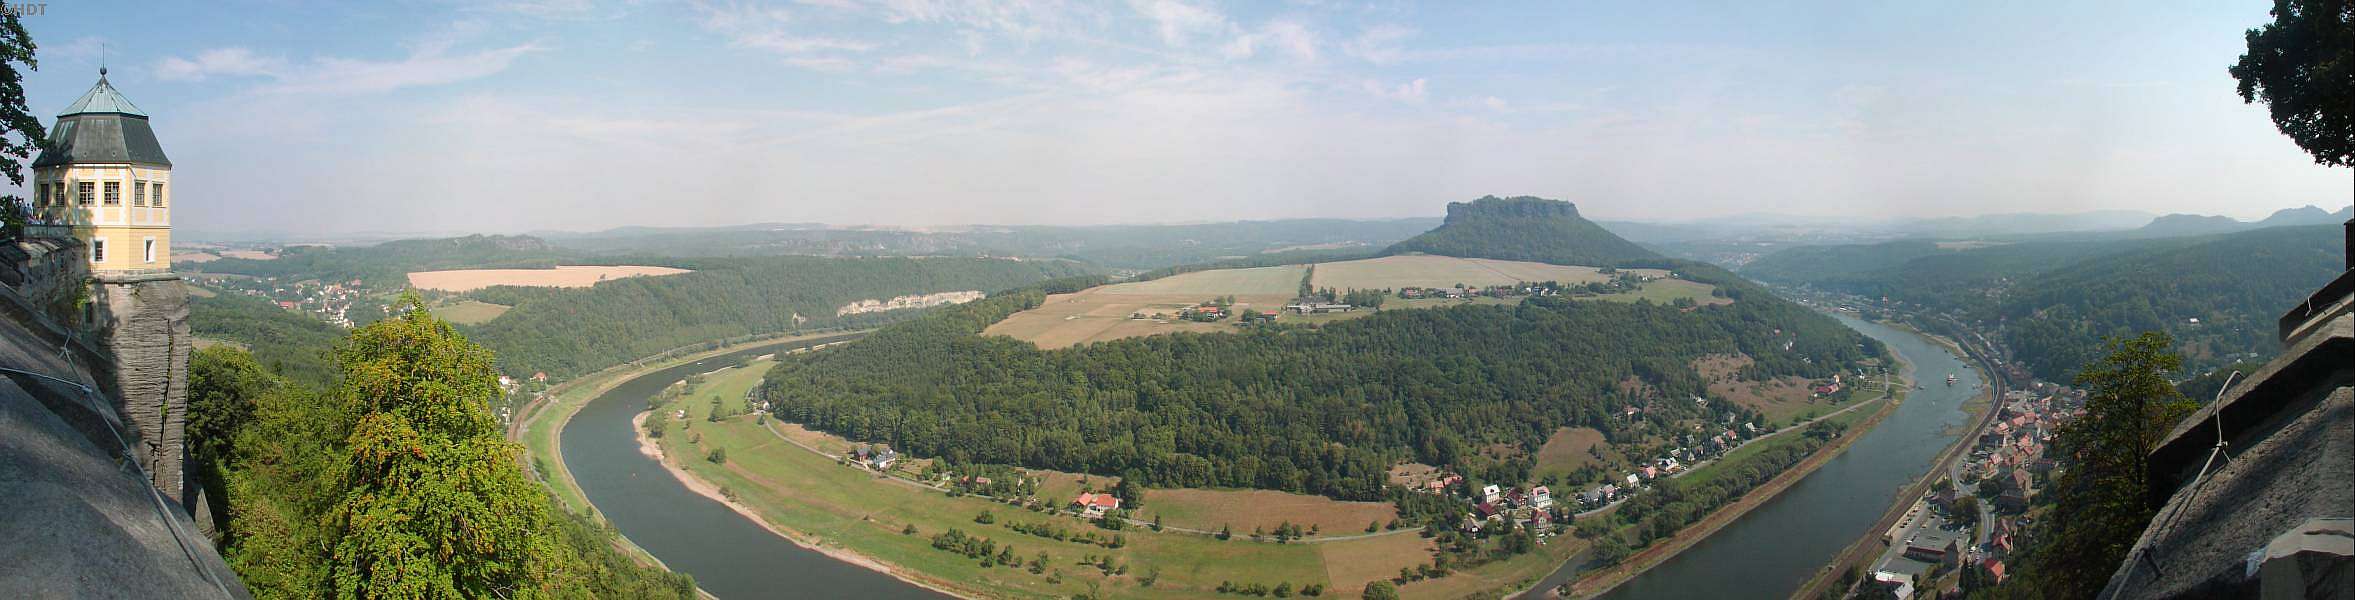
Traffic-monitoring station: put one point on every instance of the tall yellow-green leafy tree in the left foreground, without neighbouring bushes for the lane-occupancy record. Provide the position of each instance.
(432, 498)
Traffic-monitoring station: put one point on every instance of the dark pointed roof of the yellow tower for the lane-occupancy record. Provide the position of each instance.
(102, 126)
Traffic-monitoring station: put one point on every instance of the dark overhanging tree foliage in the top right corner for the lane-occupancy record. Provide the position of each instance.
(2304, 69)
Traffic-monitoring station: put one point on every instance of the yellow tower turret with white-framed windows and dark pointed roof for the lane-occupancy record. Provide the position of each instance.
(107, 180)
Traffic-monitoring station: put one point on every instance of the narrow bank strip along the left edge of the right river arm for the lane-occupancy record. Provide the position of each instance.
(1612, 578)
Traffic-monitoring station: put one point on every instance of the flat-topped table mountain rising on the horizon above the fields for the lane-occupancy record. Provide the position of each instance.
(1523, 229)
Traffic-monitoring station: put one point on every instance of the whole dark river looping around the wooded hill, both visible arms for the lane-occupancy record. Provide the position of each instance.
(1765, 554)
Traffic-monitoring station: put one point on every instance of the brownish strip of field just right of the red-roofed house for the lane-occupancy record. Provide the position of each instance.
(1247, 509)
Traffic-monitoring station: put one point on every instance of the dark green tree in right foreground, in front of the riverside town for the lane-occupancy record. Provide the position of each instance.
(2099, 495)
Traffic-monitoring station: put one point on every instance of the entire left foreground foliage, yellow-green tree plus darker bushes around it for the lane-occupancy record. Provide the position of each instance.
(394, 484)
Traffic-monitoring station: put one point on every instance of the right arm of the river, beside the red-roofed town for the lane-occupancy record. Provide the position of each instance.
(1777, 547)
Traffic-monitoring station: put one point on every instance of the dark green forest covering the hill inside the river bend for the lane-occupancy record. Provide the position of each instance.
(1320, 411)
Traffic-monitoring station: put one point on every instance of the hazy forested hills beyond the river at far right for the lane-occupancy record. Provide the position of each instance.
(2059, 300)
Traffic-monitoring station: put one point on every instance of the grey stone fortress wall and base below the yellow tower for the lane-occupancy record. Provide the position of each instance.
(91, 436)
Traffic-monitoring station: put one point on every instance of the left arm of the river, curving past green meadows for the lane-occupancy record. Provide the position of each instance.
(724, 552)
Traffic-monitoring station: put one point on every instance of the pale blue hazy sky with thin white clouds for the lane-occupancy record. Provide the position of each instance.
(576, 114)
